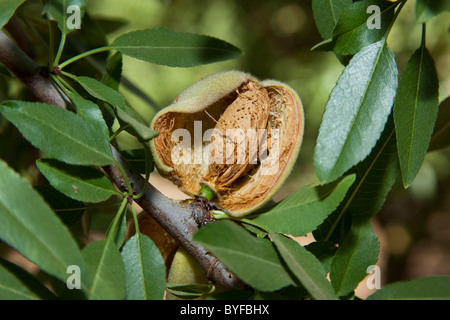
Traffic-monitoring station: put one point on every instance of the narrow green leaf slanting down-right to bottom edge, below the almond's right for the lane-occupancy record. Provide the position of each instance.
(304, 266)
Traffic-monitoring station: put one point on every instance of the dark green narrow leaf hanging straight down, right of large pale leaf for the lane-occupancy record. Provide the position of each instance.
(415, 112)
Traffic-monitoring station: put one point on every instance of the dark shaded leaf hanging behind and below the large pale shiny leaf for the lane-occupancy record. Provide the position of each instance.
(375, 176)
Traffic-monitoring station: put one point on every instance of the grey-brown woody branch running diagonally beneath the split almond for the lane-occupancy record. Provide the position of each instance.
(176, 218)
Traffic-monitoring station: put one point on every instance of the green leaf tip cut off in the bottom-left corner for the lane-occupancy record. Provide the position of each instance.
(18, 284)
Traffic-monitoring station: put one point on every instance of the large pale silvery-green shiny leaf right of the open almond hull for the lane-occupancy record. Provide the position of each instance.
(356, 112)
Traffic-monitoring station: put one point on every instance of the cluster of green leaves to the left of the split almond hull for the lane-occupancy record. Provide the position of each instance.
(76, 143)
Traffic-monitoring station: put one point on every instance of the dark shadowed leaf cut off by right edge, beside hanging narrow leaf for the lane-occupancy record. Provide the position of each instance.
(441, 134)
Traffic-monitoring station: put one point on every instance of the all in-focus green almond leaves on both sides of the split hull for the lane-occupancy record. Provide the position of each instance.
(373, 130)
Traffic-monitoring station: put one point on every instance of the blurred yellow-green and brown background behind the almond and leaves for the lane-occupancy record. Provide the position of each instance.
(276, 38)
